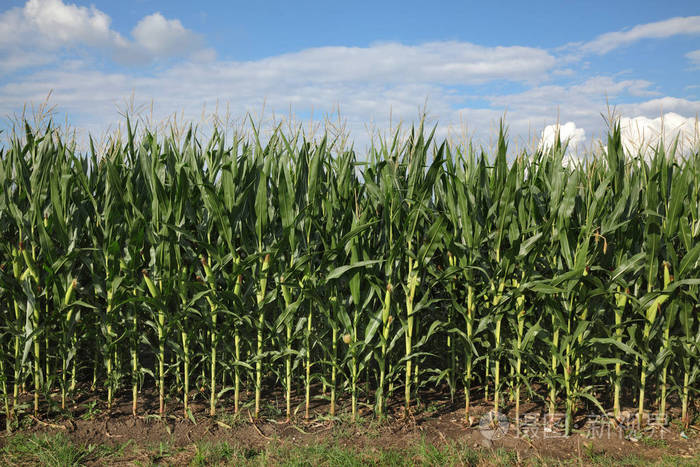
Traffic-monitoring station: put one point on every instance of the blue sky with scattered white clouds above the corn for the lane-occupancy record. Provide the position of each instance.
(472, 62)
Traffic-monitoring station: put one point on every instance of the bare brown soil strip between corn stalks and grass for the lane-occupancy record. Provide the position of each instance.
(436, 420)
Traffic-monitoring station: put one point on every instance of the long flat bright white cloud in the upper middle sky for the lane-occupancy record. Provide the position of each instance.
(447, 62)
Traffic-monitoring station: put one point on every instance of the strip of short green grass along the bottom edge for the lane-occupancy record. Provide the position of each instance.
(59, 450)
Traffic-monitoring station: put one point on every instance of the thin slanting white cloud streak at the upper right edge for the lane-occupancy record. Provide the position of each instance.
(688, 25)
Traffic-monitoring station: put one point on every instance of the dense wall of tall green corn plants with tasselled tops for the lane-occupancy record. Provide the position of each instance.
(230, 270)
